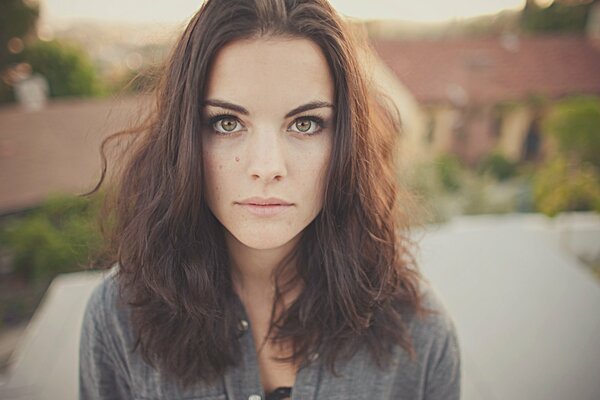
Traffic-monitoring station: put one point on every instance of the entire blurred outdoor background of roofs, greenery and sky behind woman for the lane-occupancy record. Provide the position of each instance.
(500, 102)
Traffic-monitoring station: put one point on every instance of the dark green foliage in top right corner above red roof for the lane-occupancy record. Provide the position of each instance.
(558, 17)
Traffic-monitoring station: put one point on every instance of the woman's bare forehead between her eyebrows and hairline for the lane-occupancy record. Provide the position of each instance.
(270, 72)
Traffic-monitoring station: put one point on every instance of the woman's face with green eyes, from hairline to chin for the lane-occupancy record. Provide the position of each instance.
(268, 113)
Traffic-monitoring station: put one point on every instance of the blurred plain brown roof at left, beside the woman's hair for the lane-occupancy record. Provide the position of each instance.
(56, 149)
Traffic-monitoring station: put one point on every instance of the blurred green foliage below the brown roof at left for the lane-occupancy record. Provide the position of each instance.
(60, 236)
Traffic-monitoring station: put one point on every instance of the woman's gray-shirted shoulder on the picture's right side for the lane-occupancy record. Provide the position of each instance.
(433, 373)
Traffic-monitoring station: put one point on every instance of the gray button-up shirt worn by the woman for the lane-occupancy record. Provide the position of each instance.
(108, 370)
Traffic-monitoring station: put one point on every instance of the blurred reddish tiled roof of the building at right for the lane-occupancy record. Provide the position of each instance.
(494, 69)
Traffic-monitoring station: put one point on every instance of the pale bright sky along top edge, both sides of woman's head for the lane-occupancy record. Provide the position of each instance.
(180, 10)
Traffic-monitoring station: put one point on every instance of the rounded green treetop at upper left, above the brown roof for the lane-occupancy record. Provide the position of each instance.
(67, 68)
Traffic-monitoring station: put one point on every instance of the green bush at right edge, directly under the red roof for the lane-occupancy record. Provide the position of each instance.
(575, 123)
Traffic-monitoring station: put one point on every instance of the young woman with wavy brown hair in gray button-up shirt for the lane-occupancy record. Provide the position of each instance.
(259, 231)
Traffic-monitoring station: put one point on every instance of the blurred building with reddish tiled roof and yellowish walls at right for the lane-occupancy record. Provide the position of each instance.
(490, 94)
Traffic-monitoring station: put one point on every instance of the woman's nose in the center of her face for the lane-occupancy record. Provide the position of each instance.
(267, 159)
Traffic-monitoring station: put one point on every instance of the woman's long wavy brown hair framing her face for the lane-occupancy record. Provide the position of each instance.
(355, 261)
